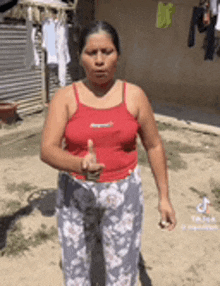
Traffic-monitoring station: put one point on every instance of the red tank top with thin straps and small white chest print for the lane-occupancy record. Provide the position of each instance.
(114, 133)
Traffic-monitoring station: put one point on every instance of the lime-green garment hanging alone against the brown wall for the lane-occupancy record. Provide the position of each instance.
(164, 15)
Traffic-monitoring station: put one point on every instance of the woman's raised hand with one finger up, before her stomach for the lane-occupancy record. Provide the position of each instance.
(91, 169)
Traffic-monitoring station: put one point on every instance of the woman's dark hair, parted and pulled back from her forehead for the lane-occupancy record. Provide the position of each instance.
(95, 27)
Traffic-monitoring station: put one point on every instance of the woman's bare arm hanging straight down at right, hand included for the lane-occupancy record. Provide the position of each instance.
(156, 154)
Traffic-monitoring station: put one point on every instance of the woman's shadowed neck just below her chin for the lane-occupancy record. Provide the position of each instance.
(99, 90)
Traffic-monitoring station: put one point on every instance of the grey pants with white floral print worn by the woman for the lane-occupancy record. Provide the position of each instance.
(116, 209)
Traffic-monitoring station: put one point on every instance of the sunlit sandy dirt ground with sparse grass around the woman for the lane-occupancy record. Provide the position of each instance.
(187, 256)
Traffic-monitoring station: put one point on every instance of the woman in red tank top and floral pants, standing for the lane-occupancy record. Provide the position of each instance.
(99, 182)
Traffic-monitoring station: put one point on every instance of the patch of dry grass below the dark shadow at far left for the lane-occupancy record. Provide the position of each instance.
(17, 244)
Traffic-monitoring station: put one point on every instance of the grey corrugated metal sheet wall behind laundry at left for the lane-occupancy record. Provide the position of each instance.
(19, 83)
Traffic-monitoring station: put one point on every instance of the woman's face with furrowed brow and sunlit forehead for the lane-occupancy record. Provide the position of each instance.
(99, 58)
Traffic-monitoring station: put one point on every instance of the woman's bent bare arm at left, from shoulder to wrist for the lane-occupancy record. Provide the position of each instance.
(52, 136)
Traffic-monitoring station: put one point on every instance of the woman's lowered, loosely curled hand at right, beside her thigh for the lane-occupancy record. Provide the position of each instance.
(168, 219)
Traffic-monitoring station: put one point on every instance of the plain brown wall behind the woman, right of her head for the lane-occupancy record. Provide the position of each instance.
(158, 59)
